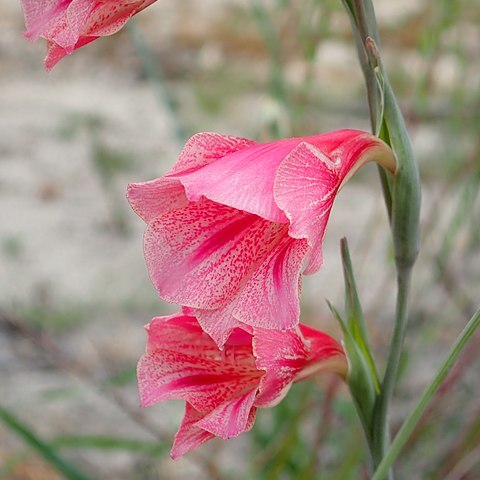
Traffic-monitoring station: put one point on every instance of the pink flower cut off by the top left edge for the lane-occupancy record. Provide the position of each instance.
(71, 24)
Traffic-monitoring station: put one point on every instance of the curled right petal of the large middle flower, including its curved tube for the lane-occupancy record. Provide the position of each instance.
(309, 178)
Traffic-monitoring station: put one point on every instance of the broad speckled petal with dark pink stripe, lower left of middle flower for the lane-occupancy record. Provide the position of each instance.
(199, 255)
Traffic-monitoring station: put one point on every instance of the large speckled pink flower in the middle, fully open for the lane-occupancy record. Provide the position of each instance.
(231, 226)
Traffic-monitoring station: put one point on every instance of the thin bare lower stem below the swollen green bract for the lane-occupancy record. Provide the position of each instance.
(380, 417)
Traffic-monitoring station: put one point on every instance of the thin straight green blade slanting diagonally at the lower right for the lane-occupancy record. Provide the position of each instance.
(412, 420)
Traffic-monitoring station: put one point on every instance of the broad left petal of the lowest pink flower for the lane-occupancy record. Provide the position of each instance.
(182, 362)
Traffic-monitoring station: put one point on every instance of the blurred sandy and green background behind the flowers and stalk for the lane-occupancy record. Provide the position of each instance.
(74, 292)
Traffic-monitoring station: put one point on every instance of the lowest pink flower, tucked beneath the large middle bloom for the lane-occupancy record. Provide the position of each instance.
(223, 389)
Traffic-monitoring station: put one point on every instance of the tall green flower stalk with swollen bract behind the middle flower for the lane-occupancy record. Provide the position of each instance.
(402, 197)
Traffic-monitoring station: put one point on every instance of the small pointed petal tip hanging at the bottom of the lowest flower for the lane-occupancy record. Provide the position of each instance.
(189, 435)
